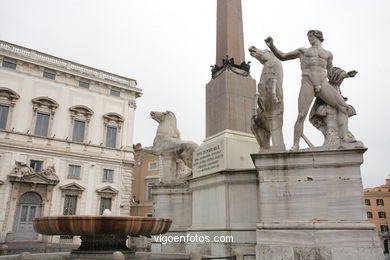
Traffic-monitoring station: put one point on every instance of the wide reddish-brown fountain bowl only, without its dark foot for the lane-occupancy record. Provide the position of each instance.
(101, 225)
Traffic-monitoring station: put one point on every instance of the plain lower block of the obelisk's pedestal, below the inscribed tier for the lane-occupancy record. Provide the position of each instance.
(224, 204)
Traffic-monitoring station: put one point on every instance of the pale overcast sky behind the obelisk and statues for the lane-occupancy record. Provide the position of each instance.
(168, 47)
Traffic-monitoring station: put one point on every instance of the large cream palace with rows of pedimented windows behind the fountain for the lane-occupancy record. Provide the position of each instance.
(66, 137)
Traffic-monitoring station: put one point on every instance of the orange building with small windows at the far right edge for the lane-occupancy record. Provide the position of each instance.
(377, 202)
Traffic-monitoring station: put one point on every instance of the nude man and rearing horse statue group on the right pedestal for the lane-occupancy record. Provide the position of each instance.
(320, 79)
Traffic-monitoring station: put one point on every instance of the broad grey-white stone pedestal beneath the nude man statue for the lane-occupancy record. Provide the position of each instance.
(311, 206)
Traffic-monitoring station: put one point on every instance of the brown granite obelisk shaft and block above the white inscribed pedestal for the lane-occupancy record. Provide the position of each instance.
(229, 95)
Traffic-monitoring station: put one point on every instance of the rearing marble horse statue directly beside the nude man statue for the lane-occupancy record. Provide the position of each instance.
(267, 119)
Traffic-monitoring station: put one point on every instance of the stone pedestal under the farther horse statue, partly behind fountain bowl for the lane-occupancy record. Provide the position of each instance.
(174, 201)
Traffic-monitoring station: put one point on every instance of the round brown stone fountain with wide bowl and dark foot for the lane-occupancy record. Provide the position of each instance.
(101, 235)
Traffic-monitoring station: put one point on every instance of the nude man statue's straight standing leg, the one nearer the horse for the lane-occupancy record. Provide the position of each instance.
(306, 95)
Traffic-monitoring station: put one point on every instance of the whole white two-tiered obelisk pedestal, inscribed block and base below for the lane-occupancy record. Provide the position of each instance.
(224, 193)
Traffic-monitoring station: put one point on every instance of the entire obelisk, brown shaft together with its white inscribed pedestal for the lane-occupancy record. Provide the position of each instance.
(223, 176)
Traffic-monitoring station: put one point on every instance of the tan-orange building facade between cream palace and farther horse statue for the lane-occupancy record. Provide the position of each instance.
(146, 174)
